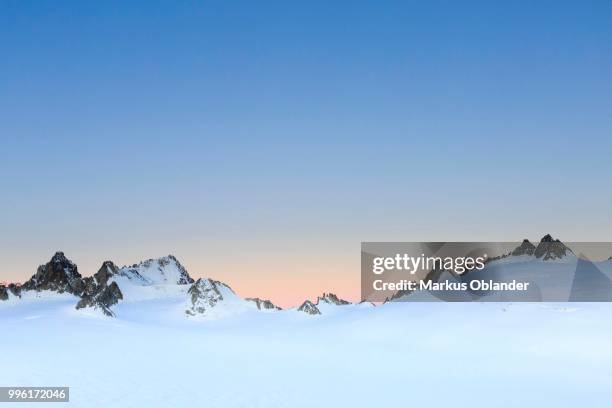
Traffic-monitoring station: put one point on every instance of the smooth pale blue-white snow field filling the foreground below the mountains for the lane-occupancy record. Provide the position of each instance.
(404, 354)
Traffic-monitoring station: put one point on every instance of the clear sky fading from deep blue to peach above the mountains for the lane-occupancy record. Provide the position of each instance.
(262, 142)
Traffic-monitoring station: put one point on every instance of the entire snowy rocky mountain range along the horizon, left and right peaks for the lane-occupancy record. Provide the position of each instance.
(555, 273)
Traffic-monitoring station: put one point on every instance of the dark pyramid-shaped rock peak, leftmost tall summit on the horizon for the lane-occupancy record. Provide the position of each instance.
(59, 274)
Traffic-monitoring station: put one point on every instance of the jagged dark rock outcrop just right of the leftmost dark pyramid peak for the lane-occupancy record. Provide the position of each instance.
(98, 293)
